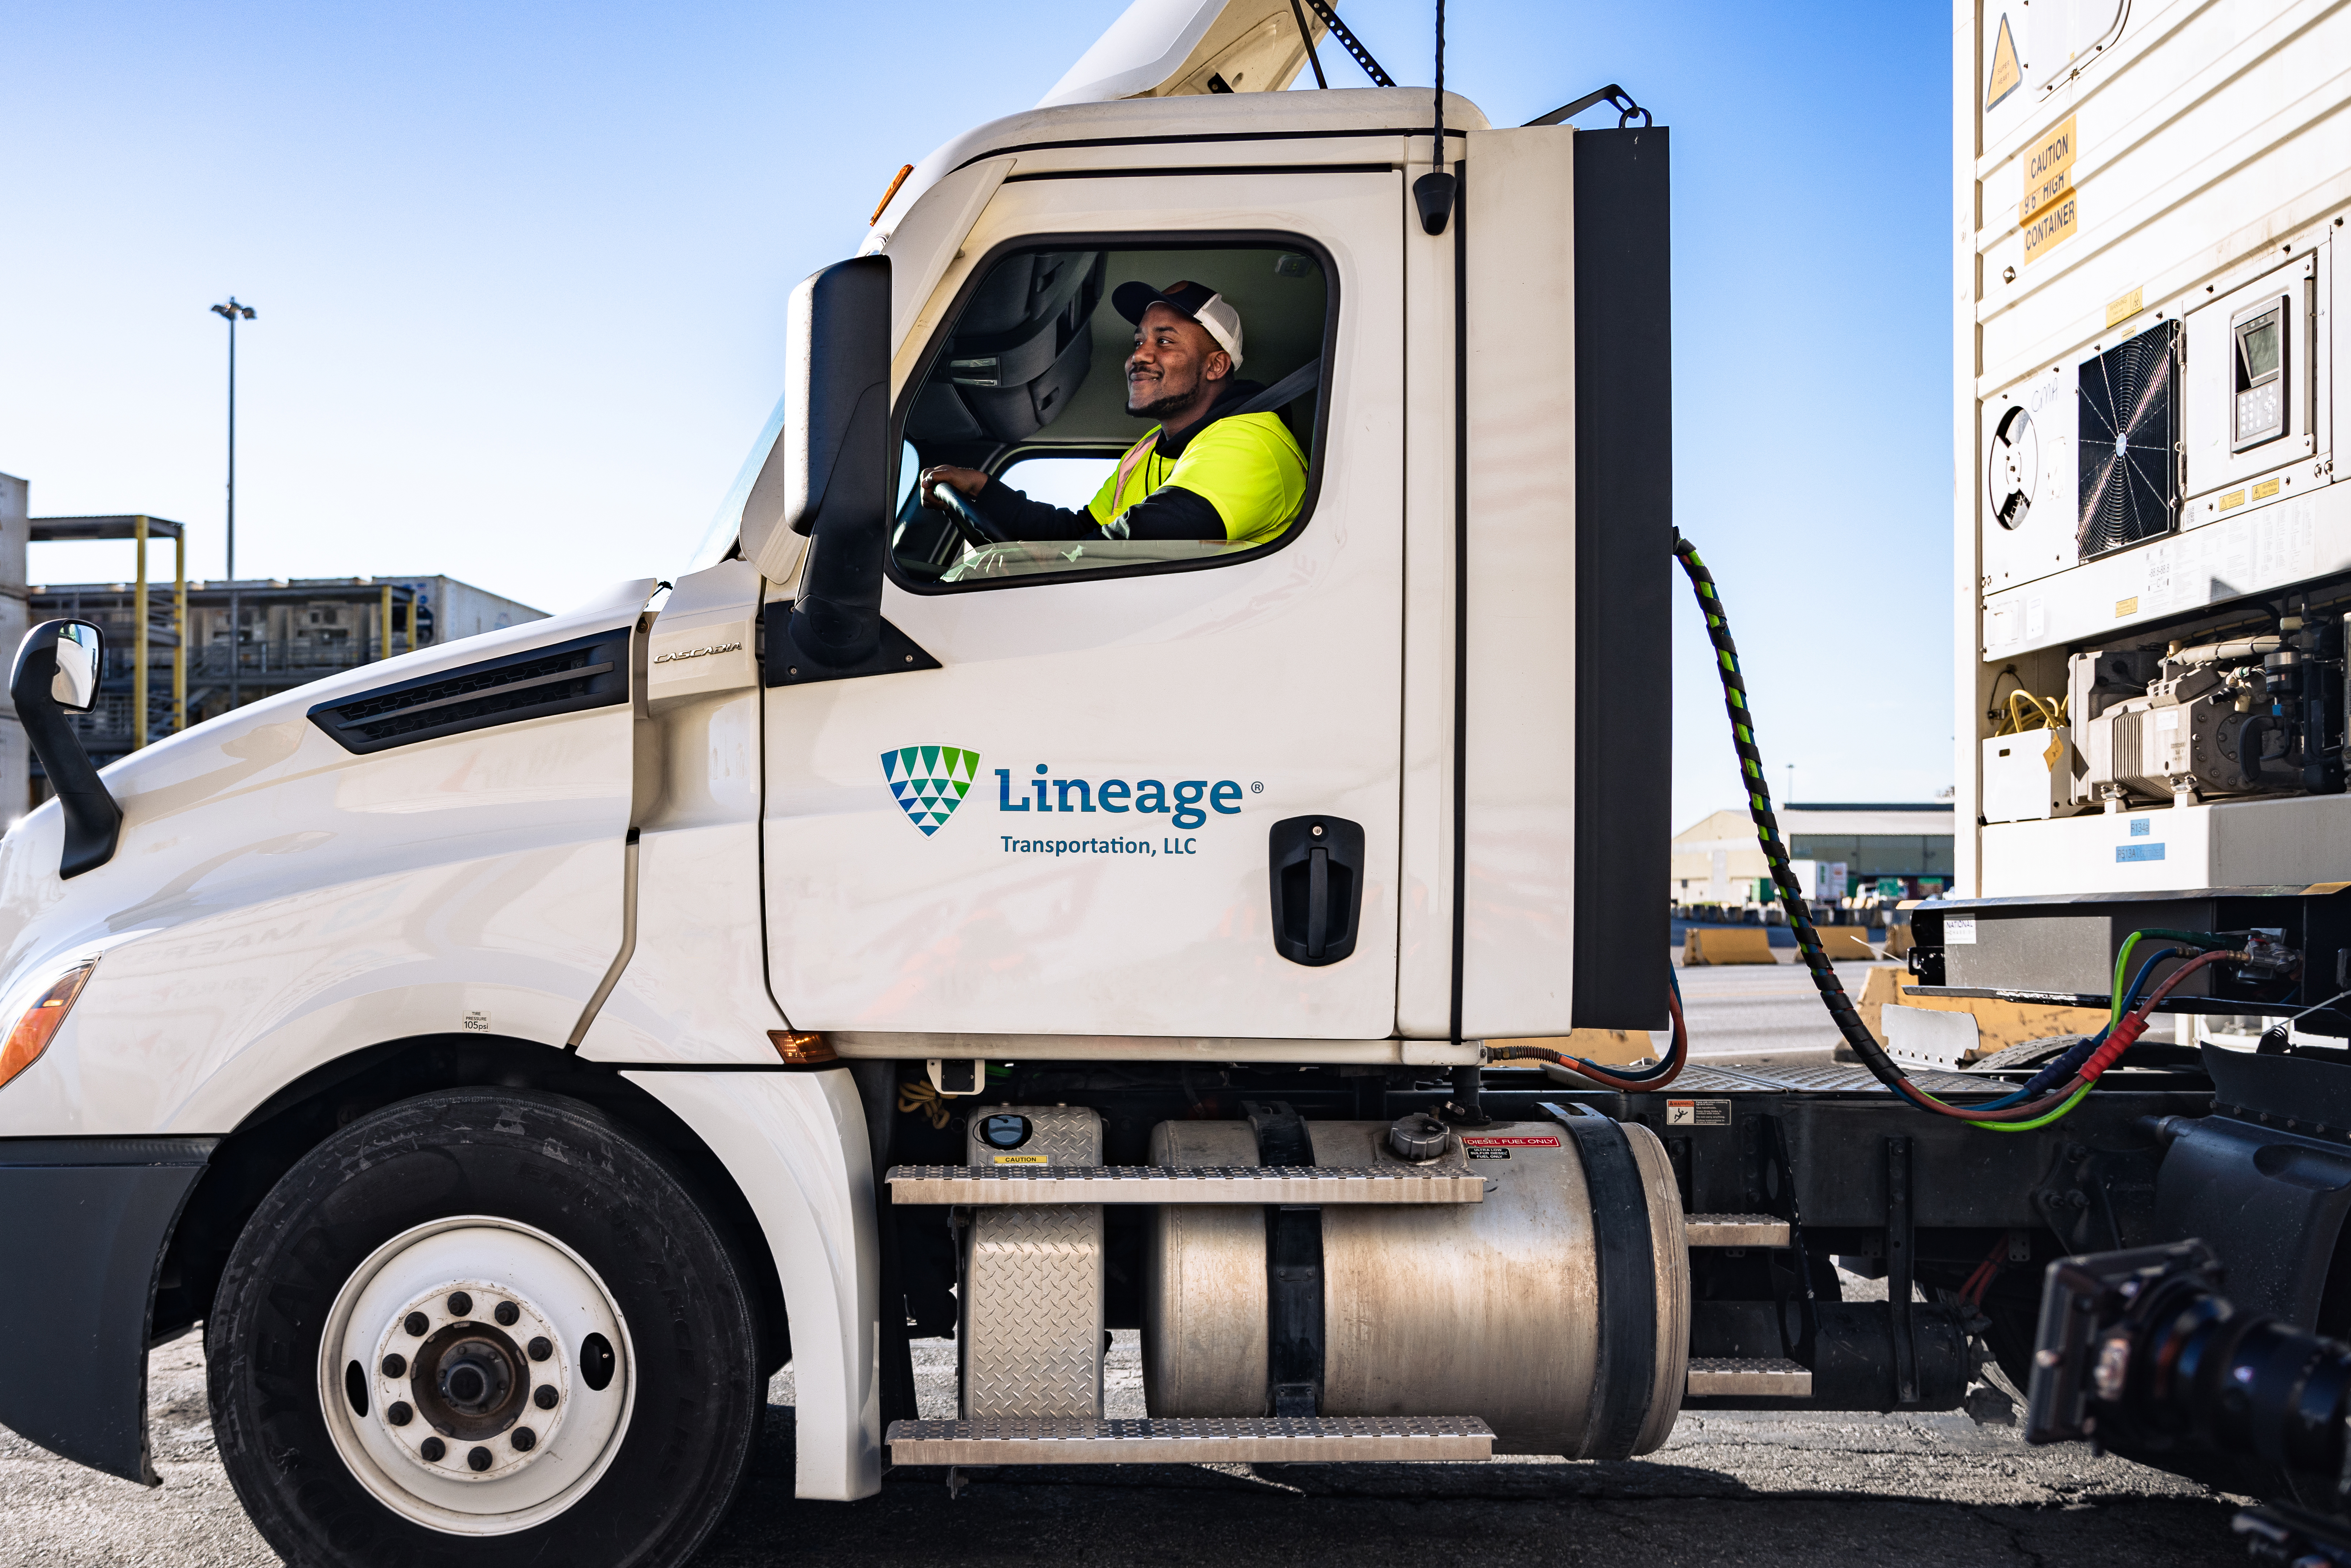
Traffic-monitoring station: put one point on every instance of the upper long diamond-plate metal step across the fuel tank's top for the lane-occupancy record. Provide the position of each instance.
(1181, 1186)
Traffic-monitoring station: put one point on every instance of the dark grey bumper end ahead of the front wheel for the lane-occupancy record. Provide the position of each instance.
(86, 1224)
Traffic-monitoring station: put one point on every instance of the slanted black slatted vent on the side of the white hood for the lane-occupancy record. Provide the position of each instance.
(533, 685)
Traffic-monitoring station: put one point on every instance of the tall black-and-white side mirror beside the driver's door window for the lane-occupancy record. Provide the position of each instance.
(833, 474)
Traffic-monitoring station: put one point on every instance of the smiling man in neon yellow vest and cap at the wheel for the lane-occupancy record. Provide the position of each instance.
(1203, 474)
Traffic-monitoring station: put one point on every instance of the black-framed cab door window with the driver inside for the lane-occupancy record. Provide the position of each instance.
(1029, 384)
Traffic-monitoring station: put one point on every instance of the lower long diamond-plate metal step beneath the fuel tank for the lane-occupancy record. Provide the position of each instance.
(1247, 1440)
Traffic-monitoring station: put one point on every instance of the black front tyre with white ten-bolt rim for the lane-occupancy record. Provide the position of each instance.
(483, 1327)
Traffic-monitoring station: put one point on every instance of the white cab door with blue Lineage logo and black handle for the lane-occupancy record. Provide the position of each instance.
(1071, 826)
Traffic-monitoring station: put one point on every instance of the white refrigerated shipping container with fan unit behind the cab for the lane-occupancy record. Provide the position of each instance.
(2150, 208)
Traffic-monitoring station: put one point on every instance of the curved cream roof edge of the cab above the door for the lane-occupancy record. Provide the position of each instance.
(1033, 133)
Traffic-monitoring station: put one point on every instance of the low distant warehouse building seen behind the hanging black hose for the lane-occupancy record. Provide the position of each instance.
(1894, 850)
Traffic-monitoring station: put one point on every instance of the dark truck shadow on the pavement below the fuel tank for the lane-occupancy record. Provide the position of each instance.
(1426, 1515)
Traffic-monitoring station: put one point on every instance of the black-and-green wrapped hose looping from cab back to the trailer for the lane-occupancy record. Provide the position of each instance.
(2011, 1113)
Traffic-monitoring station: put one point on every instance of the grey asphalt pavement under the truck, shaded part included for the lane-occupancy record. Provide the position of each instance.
(1938, 1492)
